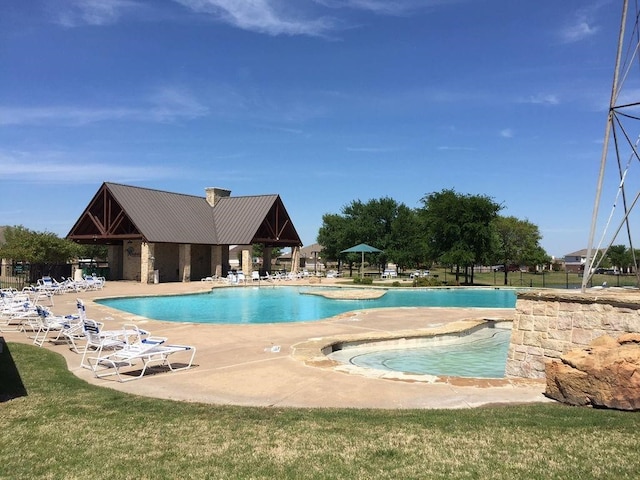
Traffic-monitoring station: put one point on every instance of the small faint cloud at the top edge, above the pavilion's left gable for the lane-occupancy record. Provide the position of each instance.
(93, 12)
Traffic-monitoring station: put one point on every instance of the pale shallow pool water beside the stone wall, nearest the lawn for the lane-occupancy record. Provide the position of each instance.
(481, 354)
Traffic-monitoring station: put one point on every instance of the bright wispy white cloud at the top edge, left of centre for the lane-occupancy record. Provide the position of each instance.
(261, 16)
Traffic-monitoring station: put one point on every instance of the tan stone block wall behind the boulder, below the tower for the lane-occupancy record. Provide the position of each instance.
(548, 324)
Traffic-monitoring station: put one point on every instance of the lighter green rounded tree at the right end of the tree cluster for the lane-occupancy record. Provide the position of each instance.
(518, 243)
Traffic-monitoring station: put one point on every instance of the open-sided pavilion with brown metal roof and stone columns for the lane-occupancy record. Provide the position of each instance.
(159, 236)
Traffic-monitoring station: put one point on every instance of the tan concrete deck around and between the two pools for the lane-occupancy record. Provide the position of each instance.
(267, 365)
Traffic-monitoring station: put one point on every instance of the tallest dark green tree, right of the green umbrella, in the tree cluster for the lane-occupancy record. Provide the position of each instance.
(458, 228)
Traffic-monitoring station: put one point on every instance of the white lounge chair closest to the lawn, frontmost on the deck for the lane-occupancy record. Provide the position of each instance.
(151, 351)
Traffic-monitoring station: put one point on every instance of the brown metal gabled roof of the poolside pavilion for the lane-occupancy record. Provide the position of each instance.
(166, 217)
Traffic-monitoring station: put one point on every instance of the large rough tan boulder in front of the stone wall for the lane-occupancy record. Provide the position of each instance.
(605, 374)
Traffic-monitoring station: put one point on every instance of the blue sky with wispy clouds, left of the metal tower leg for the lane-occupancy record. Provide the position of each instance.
(321, 101)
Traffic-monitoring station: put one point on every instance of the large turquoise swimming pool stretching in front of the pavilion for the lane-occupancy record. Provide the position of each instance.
(251, 305)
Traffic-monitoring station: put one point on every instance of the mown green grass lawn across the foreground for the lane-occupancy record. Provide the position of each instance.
(64, 428)
